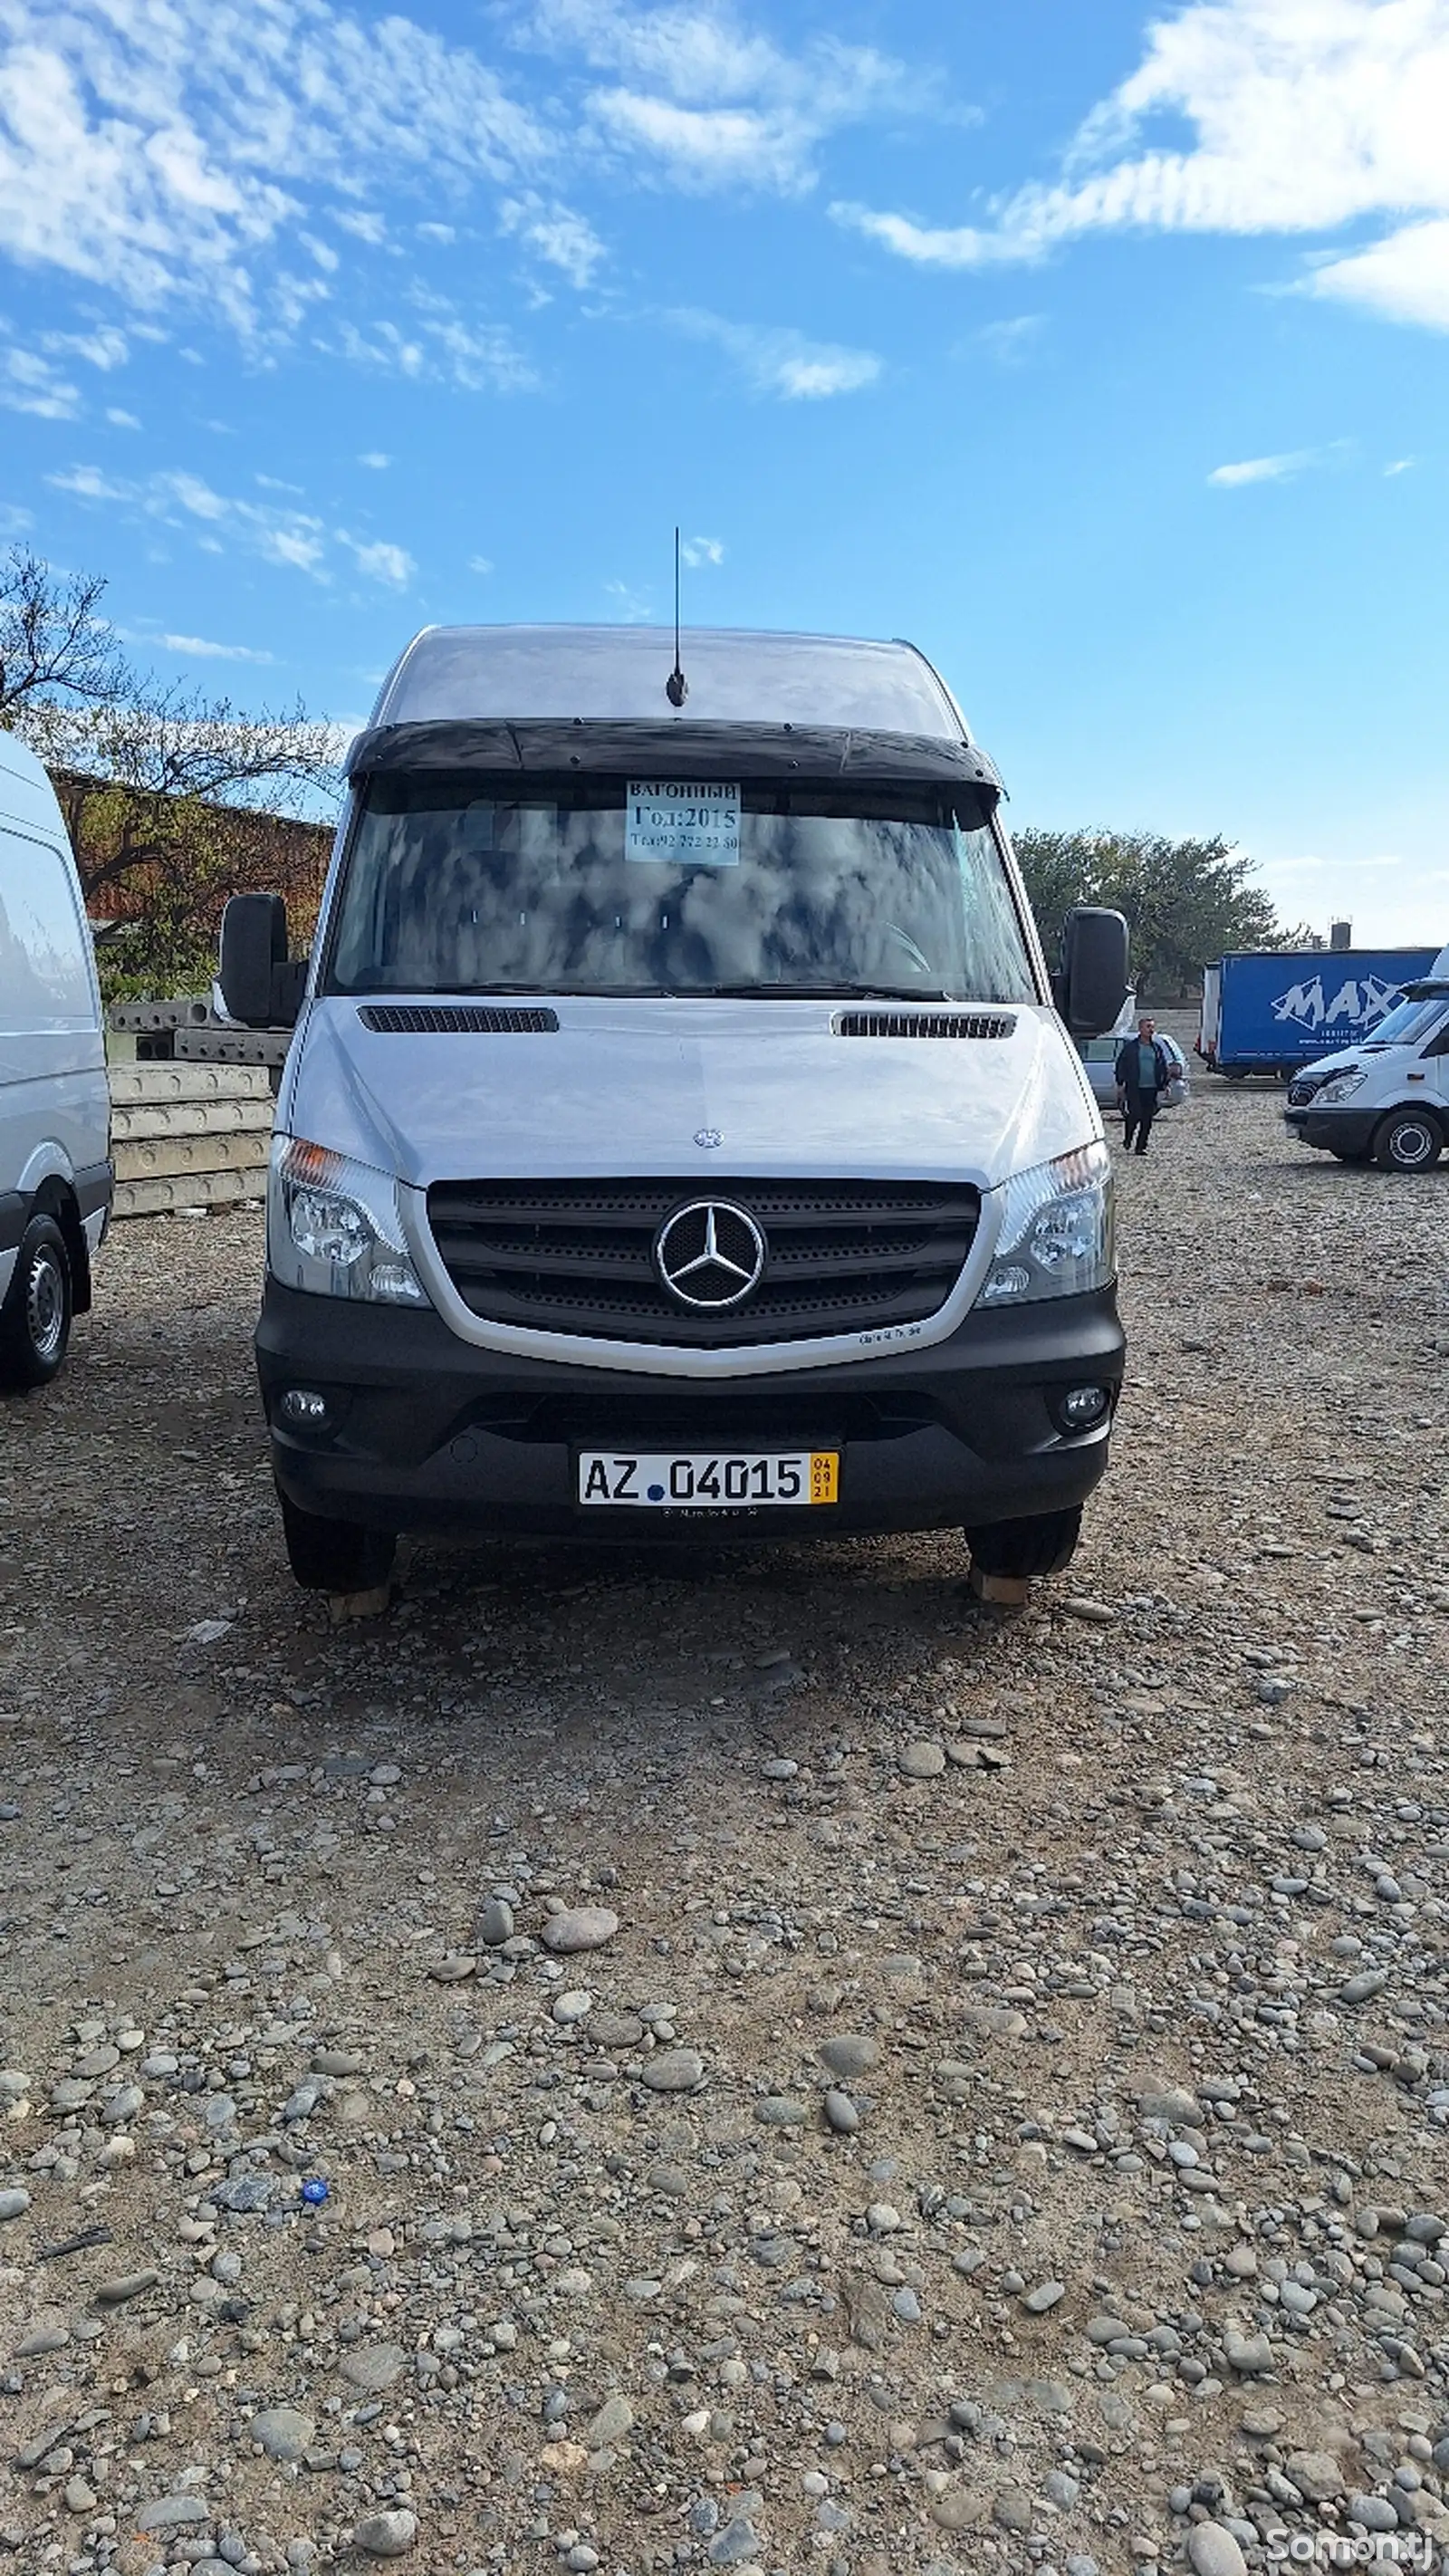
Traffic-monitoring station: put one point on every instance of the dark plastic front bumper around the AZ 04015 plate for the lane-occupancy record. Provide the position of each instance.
(434, 1434)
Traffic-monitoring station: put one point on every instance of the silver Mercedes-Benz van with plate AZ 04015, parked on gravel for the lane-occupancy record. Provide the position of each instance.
(683, 1135)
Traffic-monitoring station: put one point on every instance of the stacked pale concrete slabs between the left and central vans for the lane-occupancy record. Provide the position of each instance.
(189, 1135)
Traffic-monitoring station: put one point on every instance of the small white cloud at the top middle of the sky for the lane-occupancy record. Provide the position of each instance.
(709, 104)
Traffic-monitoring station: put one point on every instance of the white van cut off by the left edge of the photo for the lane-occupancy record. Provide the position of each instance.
(55, 1104)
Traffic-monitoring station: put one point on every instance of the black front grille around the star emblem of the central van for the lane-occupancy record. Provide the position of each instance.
(578, 1256)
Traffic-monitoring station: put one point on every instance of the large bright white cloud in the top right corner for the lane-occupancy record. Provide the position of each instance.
(1306, 117)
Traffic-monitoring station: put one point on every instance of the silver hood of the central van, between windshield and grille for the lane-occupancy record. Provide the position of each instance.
(701, 1088)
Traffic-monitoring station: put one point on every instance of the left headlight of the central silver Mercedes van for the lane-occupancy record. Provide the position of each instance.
(336, 1227)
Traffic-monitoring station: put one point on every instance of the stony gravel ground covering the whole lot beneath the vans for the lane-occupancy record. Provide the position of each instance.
(807, 2075)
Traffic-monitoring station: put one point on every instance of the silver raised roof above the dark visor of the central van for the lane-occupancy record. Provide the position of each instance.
(616, 676)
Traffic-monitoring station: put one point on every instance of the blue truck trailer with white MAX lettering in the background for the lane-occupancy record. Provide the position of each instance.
(1268, 1011)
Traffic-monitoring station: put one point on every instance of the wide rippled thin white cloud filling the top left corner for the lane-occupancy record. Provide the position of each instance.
(166, 151)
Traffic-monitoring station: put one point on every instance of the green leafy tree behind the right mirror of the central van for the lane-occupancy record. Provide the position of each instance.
(1185, 900)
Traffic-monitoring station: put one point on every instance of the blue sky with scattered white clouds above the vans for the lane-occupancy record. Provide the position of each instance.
(1103, 352)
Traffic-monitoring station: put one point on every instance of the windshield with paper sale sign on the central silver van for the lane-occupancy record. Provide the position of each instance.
(465, 885)
